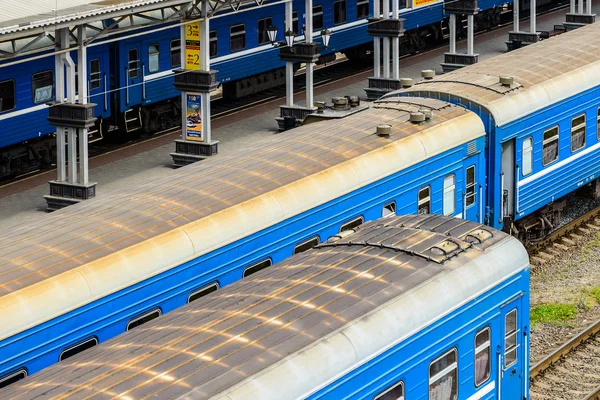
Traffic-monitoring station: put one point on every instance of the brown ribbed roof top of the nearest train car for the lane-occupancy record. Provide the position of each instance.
(218, 341)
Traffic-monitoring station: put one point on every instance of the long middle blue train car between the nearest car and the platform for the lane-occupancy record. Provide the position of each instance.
(200, 230)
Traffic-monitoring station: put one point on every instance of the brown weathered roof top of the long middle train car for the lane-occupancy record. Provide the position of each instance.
(79, 234)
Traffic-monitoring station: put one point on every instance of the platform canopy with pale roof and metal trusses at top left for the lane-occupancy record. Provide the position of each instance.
(28, 25)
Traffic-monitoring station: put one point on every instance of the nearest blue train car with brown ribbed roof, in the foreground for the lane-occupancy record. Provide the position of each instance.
(423, 307)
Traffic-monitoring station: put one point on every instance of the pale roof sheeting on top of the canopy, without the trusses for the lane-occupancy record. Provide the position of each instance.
(17, 16)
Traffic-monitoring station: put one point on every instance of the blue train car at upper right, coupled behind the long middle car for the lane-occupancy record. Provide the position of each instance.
(542, 135)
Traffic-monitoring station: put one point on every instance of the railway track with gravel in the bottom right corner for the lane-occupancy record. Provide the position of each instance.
(572, 371)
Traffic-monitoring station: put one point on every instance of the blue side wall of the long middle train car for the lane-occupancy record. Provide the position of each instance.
(102, 319)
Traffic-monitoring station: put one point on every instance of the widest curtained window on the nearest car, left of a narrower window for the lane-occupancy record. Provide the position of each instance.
(443, 377)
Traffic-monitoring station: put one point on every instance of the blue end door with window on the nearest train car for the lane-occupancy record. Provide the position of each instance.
(510, 355)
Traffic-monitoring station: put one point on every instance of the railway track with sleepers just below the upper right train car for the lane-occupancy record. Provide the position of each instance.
(564, 237)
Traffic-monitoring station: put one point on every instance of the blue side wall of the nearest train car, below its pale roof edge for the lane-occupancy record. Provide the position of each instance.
(406, 365)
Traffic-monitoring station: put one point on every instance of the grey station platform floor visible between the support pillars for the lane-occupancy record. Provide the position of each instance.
(21, 202)
